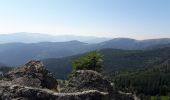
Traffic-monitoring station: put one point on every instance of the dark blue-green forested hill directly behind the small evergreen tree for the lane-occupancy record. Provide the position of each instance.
(114, 60)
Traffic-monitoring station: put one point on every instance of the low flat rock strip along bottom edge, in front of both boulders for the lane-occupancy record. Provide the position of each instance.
(15, 92)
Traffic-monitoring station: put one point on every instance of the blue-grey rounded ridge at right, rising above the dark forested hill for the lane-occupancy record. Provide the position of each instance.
(131, 44)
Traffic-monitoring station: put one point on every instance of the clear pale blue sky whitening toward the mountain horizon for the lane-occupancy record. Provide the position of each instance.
(139, 19)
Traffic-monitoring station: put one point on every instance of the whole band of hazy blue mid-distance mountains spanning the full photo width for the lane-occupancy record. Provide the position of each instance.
(19, 53)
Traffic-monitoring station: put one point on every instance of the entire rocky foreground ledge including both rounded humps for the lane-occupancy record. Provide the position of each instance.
(34, 82)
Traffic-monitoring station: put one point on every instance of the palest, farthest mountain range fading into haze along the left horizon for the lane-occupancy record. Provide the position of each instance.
(24, 37)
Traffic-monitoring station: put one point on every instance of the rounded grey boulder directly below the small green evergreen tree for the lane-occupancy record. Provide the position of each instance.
(83, 80)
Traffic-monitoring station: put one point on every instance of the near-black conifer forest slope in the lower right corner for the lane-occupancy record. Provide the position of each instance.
(146, 82)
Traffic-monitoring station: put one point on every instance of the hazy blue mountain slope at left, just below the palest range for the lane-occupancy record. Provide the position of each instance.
(19, 53)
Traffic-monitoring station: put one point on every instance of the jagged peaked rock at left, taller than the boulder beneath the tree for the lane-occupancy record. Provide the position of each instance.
(32, 74)
